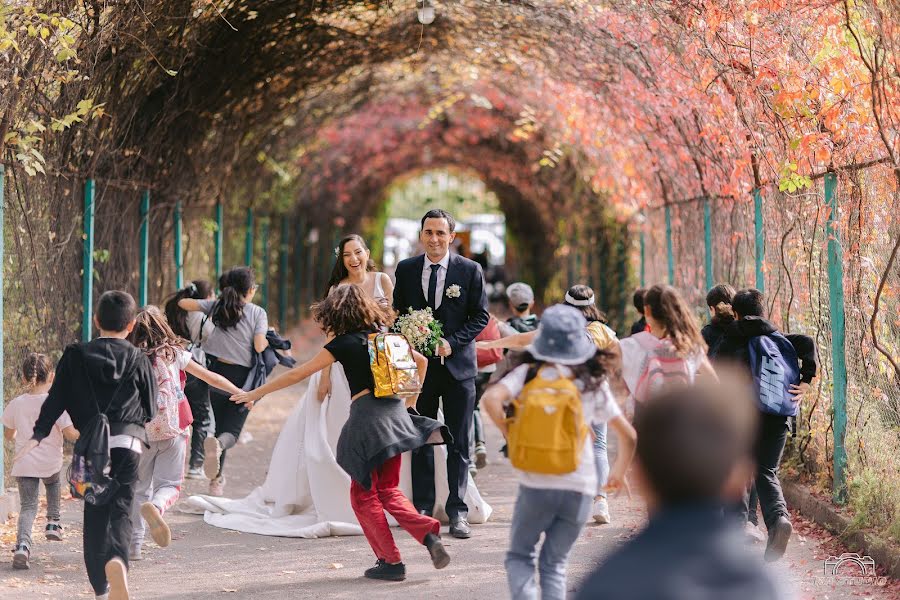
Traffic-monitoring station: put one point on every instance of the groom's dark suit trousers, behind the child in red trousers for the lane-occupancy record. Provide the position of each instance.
(458, 405)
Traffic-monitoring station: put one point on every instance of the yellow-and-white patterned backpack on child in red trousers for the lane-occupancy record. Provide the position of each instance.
(393, 366)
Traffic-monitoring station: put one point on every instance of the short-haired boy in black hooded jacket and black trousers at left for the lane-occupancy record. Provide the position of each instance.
(111, 375)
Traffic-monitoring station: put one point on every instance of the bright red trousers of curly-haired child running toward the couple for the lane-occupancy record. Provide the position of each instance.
(369, 506)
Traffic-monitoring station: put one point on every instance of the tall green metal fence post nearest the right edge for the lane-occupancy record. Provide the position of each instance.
(838, 356)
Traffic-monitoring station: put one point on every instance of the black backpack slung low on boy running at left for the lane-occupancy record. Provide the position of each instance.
(88, 473)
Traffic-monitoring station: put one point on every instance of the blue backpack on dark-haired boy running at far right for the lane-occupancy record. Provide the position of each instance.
(775, 368)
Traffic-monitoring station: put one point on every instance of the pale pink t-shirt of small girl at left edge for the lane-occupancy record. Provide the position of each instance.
(21, 414)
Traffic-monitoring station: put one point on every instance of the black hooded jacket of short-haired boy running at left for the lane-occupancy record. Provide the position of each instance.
(101, 364)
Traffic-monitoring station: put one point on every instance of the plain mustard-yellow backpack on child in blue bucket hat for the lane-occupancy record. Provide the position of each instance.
(547, 430)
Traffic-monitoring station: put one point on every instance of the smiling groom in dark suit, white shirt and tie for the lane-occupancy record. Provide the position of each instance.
(453, 287)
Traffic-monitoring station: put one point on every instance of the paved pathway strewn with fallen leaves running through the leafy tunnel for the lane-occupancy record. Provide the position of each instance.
(205, 562)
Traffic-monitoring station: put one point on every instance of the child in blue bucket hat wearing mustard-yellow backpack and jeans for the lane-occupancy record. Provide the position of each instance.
(562, 360)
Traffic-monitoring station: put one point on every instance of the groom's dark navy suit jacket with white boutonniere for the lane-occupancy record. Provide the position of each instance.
(463, 317)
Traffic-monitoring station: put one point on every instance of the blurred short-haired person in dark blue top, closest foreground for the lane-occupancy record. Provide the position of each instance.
(693, 456)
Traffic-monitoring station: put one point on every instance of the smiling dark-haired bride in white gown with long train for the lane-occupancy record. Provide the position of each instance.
(306, 494)
